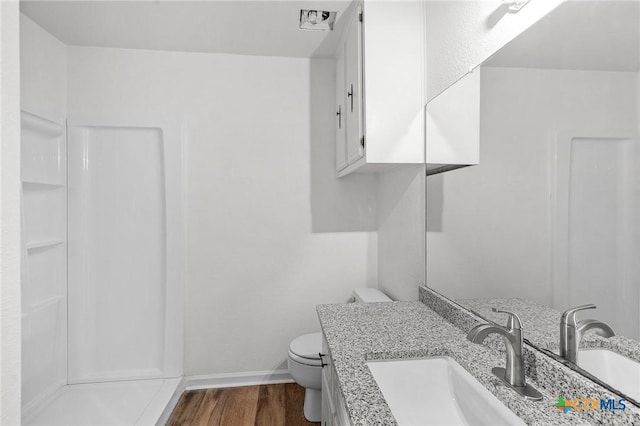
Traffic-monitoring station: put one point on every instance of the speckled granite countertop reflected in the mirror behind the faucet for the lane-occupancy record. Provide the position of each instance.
(541, 325)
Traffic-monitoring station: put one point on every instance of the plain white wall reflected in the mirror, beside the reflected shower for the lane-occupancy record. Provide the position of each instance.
(489, 228)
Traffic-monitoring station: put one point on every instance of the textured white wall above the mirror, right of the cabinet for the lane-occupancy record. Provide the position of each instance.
(462, 34)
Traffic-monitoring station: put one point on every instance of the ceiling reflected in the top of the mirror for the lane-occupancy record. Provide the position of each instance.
(579, 35)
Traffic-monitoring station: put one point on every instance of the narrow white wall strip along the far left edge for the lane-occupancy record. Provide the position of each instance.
(9, 213)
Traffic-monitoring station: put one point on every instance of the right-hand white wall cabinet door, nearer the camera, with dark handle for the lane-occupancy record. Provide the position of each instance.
(353, 88)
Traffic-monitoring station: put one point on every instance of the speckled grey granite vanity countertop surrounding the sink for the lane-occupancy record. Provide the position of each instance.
(360, 332)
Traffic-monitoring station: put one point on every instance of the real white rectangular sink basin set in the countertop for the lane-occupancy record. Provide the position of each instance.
(437, 391)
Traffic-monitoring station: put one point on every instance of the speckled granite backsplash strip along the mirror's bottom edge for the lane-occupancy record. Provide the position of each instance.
(550, 376)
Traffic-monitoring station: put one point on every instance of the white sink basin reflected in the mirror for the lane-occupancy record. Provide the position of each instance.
(620, 372)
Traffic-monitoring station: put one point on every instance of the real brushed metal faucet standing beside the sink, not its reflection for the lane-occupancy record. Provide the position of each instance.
(513, 375)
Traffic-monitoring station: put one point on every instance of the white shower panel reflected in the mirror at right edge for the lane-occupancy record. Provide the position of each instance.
(604, 235)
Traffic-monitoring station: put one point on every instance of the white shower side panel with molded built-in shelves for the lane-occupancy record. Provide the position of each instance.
(44, 301)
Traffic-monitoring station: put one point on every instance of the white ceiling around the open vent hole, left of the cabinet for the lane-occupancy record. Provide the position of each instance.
(267, 28)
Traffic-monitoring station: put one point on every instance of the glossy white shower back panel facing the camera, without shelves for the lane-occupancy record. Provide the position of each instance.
(120, 278)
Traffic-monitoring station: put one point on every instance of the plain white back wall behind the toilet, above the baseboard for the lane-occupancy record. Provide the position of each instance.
(269, 235)
